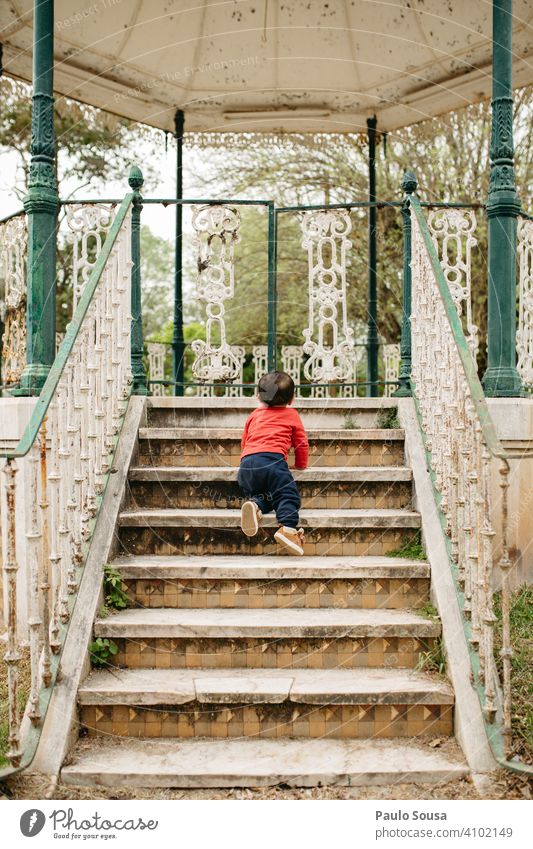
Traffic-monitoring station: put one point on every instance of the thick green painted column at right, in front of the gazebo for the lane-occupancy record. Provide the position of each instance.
(501, 377)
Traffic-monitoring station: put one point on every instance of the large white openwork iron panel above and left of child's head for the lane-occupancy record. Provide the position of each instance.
(217, 232)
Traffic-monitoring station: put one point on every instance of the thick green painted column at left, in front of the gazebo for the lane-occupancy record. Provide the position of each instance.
(41, 204)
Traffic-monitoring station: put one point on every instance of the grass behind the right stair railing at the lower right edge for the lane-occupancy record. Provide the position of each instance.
(521, 619)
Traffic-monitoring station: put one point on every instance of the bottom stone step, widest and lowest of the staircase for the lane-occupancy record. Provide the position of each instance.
(260, 763)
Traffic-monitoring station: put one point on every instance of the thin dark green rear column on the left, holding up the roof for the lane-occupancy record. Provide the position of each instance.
(178, 343)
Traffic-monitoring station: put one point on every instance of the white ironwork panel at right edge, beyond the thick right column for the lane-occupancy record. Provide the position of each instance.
(524, 335)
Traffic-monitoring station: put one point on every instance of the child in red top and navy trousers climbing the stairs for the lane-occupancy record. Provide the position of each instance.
(264, 475)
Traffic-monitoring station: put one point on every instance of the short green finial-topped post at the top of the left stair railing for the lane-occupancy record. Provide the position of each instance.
(138, 372)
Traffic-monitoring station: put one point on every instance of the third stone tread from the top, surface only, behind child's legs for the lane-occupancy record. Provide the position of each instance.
(312, 473)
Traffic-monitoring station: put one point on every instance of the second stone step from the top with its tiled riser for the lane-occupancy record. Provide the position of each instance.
(222, 446)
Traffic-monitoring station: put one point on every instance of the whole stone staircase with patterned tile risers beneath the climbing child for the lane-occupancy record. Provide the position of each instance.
(238, 665)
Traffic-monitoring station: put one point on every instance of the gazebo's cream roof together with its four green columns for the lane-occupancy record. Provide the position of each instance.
(258, 67)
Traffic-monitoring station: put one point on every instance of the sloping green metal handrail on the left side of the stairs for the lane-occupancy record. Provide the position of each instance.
(43, 402)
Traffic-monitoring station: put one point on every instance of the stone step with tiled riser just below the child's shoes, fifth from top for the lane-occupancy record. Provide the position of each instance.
(240, 582)
